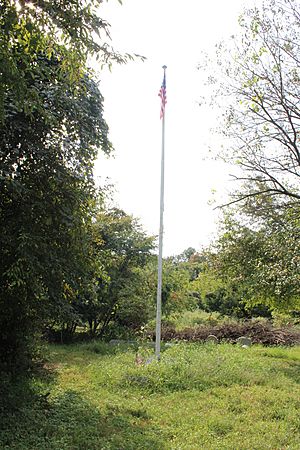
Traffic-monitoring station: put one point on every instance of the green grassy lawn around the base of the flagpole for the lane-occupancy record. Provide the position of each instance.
(197, 397)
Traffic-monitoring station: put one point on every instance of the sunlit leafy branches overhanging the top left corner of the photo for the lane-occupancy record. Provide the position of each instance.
(70, 31)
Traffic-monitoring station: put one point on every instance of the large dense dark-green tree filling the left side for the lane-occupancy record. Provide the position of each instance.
(51, 128)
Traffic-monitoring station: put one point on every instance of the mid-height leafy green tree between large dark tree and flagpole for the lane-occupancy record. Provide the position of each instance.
(122, 248)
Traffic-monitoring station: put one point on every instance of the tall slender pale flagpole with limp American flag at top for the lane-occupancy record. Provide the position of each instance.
(162, 94)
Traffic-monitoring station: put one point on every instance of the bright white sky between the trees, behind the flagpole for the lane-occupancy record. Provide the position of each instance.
(172, 33)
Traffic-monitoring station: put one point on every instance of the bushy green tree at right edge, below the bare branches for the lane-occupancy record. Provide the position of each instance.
(262, 262)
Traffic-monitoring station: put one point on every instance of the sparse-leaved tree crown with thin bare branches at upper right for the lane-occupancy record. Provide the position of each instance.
(261, 78)
